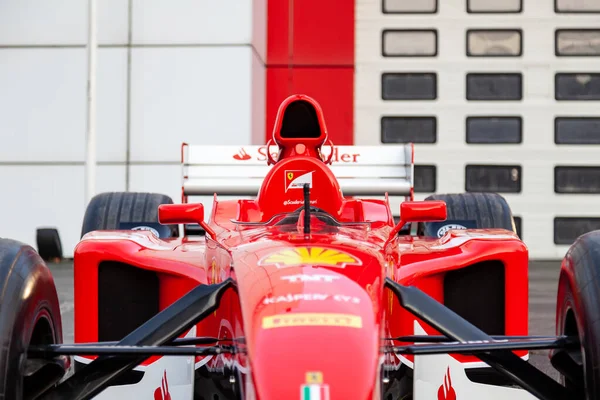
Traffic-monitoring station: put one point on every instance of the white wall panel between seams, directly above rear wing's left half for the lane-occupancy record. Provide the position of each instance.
(187, 94)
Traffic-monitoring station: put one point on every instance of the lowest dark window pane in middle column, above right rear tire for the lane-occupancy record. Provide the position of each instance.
(493, 178)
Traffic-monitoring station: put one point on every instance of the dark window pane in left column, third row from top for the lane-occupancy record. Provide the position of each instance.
(409, 86)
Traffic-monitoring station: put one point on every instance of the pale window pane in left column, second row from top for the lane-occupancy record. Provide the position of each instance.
(409, 43)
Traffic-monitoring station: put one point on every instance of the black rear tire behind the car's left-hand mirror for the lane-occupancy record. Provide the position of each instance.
(109, 211)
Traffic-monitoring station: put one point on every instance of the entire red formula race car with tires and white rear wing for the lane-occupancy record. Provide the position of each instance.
(306, 290)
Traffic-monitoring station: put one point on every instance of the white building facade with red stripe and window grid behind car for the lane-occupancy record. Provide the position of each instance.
(497, 96)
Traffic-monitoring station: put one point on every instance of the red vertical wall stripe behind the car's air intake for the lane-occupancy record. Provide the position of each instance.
(310, 50)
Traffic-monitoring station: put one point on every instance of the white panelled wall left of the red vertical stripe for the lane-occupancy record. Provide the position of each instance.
(170, 72)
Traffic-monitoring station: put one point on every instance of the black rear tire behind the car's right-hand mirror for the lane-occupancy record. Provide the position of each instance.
(487, 210)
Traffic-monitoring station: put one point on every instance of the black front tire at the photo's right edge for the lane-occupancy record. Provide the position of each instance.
(578, 314)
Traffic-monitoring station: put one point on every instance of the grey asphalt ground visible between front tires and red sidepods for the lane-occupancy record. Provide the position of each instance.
(543, 280)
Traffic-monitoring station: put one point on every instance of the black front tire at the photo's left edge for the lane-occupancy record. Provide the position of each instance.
(29, 315)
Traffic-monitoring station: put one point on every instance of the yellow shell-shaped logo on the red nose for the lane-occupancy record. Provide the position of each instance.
(320, 256)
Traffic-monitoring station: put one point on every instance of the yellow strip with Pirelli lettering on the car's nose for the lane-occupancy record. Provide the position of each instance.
(312, 319)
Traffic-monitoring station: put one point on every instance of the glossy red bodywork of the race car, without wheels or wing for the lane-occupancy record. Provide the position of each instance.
(286, 317)
